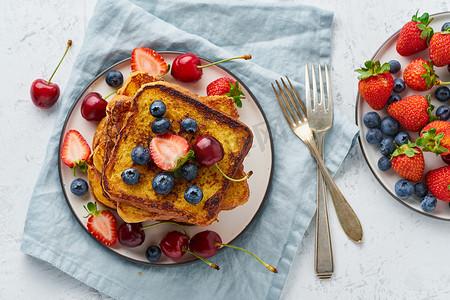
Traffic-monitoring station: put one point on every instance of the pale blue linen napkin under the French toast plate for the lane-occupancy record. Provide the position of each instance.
(281, 38)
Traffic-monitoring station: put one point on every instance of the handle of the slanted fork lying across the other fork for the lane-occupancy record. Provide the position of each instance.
(347, 217)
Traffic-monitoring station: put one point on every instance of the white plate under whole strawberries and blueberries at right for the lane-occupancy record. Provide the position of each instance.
(388, 179)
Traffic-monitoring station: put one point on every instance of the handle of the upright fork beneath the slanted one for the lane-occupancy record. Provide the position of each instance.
(323, 261)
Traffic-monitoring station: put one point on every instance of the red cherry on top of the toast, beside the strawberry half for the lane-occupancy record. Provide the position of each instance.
(208, 150)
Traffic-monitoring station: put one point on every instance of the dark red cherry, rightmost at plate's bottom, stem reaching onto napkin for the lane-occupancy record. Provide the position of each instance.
(207, 243)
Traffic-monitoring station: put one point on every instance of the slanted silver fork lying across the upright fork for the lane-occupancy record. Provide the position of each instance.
(298, 122)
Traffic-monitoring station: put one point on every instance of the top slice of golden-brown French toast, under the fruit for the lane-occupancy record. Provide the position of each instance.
(235, 137)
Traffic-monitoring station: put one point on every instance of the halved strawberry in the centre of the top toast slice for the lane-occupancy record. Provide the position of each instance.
(169, 151)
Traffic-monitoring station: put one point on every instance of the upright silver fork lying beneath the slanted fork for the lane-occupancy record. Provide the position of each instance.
(320, 119)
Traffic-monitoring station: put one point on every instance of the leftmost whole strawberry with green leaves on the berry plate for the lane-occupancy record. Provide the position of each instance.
(375, 84)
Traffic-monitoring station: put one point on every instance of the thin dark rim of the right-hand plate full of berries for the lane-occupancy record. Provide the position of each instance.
(357, 109)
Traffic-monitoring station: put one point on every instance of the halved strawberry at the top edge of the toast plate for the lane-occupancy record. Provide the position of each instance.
(147, 60)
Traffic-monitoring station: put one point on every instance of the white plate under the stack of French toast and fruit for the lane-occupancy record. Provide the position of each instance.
(231, 223)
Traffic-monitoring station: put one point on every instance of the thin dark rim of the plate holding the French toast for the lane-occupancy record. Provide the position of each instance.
(61, 139)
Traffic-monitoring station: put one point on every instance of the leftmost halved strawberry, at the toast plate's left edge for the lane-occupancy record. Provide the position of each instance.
(75, 151)
